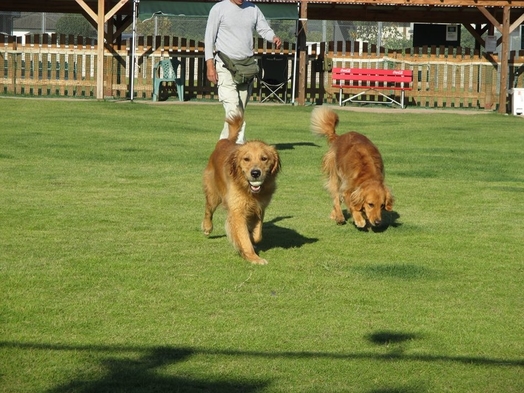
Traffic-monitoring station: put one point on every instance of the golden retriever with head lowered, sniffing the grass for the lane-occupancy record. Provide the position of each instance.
(355, 172)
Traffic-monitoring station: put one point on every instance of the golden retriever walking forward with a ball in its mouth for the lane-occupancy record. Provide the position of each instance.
(242, 178)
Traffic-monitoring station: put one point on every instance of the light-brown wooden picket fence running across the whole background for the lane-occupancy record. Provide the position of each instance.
(66, 66)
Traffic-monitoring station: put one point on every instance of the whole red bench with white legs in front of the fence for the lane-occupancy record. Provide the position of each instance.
(366, 79)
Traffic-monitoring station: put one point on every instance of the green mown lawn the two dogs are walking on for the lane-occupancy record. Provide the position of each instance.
(108, 284)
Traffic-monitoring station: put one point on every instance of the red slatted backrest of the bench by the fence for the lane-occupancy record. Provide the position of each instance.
(350, 76)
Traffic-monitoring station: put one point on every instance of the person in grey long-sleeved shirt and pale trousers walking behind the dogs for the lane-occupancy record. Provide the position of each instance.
(229, 31)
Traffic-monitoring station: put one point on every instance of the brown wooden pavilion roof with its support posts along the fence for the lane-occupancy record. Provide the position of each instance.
(112, 17)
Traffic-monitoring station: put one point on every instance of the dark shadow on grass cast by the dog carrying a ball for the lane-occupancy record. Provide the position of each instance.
(279, 237)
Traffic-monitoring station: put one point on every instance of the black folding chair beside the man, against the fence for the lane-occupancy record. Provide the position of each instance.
(275, 77)
